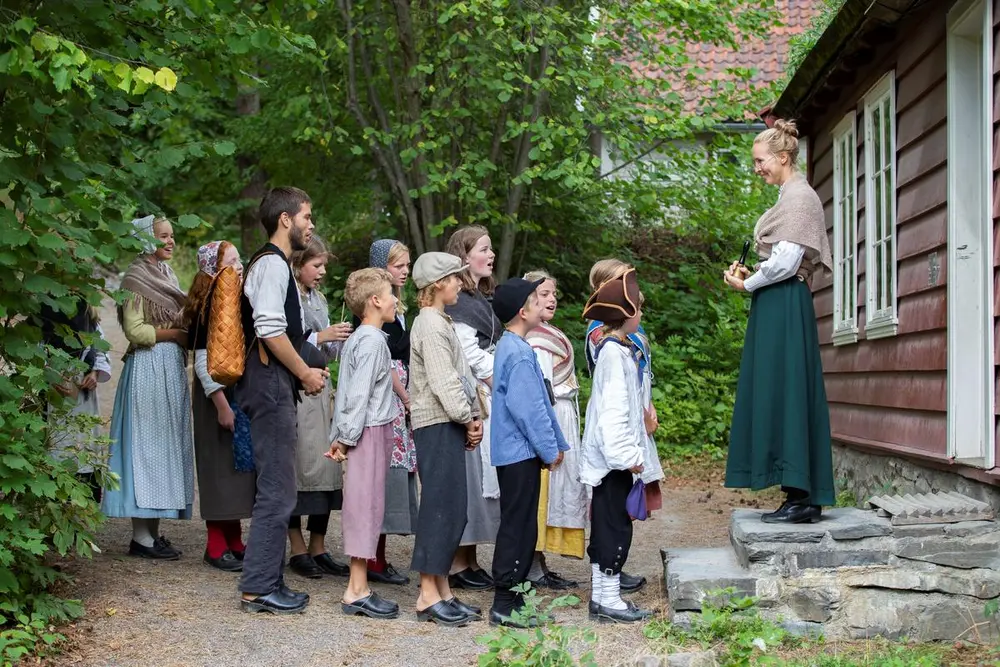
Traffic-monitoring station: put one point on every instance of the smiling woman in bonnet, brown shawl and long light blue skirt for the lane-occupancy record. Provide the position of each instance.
(151, 441)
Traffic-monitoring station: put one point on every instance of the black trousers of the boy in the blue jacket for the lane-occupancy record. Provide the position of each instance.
(520, 485)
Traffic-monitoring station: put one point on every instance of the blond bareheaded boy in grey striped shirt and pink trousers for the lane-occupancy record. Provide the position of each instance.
(362, 425)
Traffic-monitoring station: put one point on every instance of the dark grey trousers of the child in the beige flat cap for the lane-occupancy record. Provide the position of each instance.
(441, 462)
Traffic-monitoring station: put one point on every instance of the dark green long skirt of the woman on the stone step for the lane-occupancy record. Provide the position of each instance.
(781, 421)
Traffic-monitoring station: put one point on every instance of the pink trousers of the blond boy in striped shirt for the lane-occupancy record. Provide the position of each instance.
(364, 491)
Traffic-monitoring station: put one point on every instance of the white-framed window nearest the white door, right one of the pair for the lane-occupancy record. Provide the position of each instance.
(881, 322)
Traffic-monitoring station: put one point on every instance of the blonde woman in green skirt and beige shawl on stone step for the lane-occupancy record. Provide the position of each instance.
(781, 421)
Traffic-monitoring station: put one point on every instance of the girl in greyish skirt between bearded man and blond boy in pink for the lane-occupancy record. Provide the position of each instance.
(320, 480)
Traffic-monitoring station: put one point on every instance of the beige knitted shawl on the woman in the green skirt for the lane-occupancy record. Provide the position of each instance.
(796, 217)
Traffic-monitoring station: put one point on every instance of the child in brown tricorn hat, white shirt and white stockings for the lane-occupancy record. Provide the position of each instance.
(614, 444)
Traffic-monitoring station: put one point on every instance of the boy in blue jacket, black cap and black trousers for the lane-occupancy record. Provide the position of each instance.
(525, 436)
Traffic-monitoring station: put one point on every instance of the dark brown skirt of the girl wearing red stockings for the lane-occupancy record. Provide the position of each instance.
(224, 493)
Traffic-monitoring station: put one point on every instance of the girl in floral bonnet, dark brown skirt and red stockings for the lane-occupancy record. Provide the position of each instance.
(225, 494)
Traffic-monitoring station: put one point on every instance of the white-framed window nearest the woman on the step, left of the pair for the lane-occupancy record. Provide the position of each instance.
(845, 232)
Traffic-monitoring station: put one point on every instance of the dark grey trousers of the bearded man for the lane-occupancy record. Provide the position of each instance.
(267, 395)
